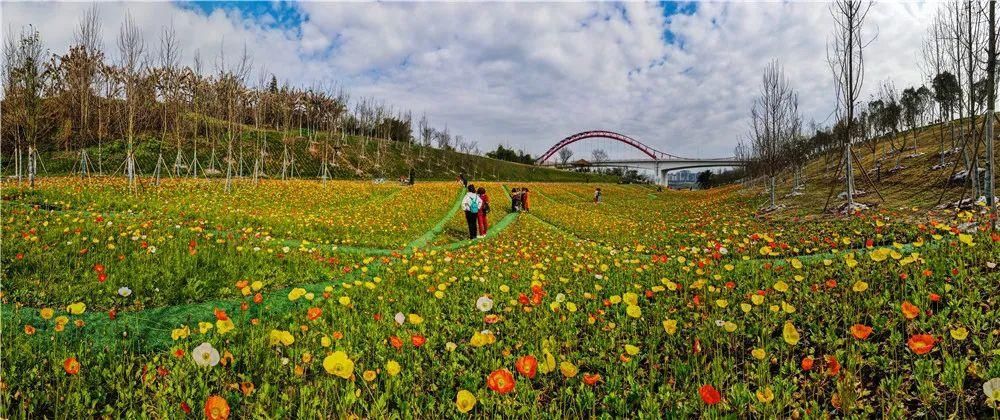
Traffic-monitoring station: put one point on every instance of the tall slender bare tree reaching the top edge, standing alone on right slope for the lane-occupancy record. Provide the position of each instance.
(845, 55)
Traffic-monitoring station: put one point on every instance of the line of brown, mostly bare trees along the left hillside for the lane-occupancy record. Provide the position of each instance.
(83, 99)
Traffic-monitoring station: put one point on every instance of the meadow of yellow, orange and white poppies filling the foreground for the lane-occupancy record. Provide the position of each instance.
(351, 299)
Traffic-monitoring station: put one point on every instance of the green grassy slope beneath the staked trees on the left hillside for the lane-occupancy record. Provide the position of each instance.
(358, 158)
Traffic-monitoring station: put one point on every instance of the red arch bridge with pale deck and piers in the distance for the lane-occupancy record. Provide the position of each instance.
(653, 160)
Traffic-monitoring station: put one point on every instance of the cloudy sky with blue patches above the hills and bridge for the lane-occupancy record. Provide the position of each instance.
(679, 77)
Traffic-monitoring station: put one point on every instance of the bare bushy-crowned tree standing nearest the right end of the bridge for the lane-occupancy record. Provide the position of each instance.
(774, 123)
